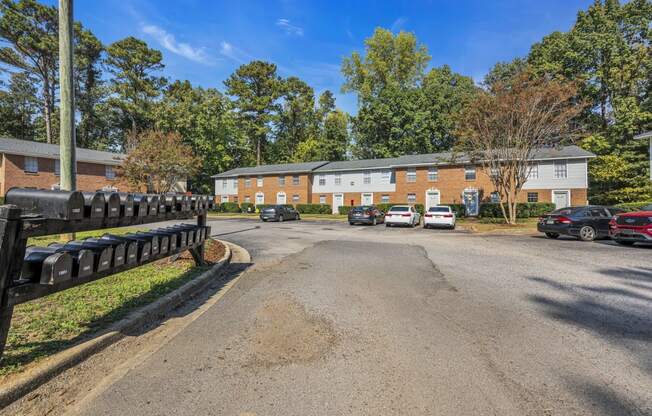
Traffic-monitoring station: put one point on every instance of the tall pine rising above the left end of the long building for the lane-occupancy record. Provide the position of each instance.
(256, 88)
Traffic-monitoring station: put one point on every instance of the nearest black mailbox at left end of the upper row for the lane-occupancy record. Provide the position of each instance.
(62, 205)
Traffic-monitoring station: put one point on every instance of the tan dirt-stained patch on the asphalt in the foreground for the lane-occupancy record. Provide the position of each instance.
(284, 333)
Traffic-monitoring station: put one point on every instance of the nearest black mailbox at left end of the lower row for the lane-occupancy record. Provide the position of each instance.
(48, 268)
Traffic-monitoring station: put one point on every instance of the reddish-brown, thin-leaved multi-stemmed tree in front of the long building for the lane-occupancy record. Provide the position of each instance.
(502, 129)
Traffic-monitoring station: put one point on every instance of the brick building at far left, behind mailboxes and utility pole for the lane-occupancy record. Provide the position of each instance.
(31, 164)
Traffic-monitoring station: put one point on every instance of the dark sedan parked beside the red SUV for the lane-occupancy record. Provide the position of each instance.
(586, 222)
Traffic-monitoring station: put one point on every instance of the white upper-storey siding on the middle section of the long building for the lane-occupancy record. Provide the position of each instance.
(353, 181)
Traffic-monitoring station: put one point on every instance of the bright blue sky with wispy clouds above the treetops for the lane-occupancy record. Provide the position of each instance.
(204, 41)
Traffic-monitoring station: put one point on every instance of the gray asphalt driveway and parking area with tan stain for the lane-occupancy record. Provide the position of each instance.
(340, 320)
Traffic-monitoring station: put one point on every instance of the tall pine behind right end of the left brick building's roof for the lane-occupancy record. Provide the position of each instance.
(135, 83)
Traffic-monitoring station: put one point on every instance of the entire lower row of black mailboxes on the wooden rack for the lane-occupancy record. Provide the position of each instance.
(82, 258)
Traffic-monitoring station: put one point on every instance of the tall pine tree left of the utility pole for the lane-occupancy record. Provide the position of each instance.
(31, 31)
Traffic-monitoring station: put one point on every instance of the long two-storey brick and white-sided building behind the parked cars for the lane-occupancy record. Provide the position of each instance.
(557, 175)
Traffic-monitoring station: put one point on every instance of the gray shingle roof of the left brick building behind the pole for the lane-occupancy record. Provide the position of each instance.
(51, 151)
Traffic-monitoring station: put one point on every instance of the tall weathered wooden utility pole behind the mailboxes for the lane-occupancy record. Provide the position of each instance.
(67, 141)
